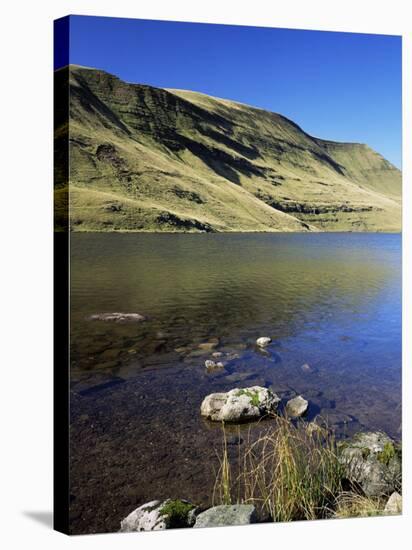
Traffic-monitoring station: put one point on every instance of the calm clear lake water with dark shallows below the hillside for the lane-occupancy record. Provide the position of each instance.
(329, 301)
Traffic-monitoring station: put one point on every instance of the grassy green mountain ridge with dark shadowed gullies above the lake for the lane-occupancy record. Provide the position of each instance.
(151, 159)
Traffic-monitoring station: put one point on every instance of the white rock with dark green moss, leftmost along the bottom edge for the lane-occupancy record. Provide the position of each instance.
(158, 515)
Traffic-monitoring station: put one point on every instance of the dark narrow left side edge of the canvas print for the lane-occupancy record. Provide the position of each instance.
(61, 487)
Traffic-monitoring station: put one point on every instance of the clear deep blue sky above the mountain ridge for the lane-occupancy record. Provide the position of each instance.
(339, 86)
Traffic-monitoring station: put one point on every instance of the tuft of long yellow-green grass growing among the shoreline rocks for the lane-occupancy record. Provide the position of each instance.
(290, 472)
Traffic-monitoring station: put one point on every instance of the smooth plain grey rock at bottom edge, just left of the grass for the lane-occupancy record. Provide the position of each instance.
(238, 514)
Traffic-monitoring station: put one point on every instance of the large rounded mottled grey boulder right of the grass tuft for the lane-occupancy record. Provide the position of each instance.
(373, 461)
